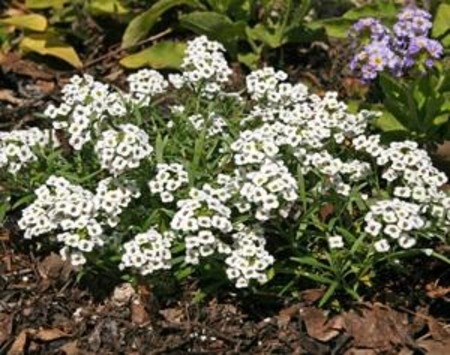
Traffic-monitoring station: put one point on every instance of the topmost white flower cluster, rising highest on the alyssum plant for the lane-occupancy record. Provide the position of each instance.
(204, 67)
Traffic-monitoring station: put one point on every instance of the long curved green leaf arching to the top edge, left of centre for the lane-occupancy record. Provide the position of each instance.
(139, 27)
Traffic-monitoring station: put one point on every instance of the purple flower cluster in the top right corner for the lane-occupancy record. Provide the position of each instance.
(379, 49)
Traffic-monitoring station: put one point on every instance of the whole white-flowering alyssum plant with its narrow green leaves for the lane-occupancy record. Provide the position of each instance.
(181, 174)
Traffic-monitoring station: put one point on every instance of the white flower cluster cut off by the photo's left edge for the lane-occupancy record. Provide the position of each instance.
(16, 147)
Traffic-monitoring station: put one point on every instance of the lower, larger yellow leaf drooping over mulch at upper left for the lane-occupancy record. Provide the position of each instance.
(52, 47)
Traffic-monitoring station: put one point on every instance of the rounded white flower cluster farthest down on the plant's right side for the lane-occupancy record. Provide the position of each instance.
(395, 219)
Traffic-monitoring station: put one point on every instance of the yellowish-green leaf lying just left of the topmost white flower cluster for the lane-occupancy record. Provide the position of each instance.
(165, 54)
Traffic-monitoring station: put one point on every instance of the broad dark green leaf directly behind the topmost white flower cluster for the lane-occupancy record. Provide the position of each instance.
(214, 25)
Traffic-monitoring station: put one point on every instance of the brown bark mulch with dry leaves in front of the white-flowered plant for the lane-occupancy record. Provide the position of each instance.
(43, 310)
